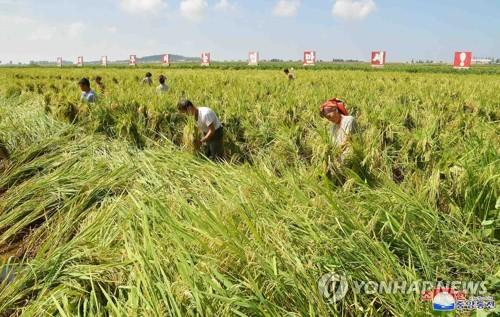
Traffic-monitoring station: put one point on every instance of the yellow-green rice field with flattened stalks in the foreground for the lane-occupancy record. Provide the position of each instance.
(109, 210)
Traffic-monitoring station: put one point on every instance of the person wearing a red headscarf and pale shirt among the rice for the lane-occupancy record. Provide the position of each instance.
(343, 125)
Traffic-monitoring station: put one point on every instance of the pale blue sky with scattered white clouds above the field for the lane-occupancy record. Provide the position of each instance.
(37, 30)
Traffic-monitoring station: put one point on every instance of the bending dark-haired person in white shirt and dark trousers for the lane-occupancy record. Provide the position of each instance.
(209, 125)
